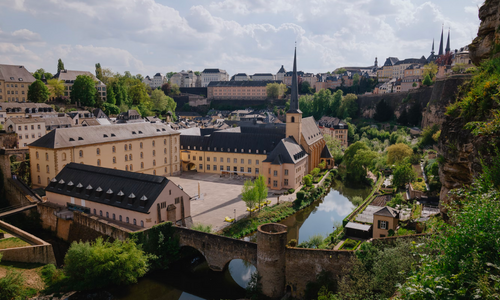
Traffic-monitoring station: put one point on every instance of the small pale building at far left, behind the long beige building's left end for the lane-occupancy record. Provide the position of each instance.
(28, 130)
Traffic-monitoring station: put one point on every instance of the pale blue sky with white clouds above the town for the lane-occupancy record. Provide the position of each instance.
(239, 36)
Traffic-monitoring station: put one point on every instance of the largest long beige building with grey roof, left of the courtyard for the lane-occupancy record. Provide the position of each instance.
(141, 147)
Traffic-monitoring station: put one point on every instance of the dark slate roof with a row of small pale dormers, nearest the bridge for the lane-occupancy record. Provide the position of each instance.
(103, 185)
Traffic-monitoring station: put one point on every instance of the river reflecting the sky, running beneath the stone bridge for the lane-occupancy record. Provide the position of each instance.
(192, 279)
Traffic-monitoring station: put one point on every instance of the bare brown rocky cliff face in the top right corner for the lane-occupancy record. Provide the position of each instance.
(488, 35)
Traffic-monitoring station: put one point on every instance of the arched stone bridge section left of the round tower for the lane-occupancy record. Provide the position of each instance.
(217, 250)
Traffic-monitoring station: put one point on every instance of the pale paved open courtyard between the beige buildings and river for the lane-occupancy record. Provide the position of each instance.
(219, 197)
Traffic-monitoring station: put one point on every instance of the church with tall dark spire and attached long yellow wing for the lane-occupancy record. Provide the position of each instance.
(282, 153)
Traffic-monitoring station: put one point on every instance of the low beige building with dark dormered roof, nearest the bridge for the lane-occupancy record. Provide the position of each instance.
(120, 196)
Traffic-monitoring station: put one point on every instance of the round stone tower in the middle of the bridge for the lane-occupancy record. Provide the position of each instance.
(271, 260)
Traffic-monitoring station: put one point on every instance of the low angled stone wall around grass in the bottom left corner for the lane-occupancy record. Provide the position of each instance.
(39, 252)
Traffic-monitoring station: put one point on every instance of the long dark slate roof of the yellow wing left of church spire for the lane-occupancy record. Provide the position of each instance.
(227, 141)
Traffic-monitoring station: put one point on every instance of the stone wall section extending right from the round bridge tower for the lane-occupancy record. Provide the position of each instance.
(304, 265)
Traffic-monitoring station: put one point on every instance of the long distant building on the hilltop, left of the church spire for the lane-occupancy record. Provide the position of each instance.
(238, 90)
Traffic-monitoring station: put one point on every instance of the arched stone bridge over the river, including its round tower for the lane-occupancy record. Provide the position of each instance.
(282, 269)
